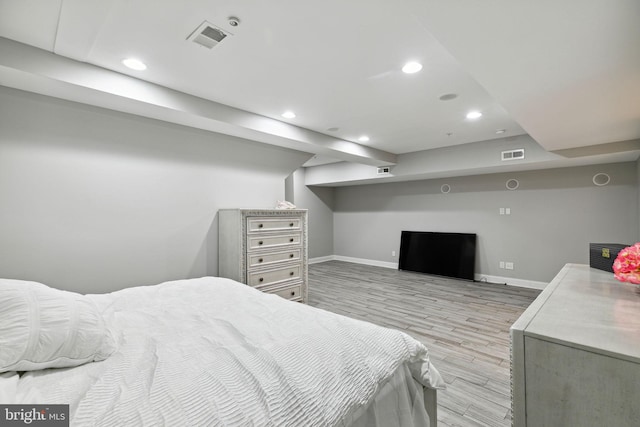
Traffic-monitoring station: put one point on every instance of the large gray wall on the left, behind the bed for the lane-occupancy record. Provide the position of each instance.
(92, 200)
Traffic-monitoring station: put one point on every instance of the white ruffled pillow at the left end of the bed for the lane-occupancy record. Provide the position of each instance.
(42, 327)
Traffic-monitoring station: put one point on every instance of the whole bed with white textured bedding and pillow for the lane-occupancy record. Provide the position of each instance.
(207, 351)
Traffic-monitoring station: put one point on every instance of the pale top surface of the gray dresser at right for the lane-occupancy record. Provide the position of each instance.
(587, 308)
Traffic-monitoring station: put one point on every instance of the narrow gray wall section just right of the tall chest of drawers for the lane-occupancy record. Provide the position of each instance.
(319, 202)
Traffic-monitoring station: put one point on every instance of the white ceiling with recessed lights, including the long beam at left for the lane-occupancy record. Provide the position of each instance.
(566, 73)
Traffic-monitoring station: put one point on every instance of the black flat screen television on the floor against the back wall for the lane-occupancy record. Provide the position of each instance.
(441, 254)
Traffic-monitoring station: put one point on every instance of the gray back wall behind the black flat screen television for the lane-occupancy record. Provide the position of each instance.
(555, 214)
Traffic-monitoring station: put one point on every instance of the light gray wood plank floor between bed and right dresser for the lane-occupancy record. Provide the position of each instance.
(465, 326)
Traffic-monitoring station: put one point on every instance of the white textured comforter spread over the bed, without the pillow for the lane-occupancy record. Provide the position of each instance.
(211, 351)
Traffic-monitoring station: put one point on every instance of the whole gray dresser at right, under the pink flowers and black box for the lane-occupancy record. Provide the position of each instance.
(575, 353)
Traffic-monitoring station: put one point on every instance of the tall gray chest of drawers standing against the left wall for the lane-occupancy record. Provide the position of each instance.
(265, 249)
